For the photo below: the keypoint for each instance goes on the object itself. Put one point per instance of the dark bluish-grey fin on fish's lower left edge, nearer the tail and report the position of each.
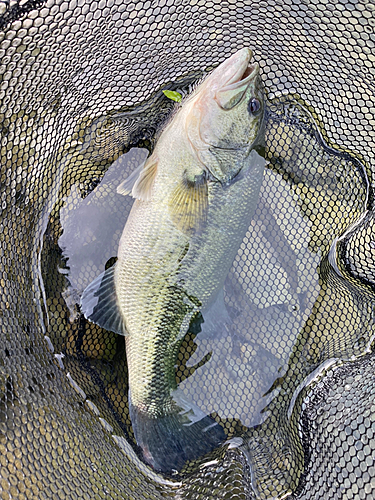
(99, 303)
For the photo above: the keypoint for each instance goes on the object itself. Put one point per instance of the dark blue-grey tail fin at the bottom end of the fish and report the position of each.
(168, 442)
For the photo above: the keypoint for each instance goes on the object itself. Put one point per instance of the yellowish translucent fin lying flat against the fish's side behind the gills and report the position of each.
(188, 204)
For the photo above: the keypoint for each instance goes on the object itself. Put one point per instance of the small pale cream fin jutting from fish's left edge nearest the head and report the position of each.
(140, 182)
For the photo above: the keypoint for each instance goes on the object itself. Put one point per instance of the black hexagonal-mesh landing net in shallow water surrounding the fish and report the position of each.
(80, 107)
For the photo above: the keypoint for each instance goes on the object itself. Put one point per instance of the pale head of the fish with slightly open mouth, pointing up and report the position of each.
(220, 126)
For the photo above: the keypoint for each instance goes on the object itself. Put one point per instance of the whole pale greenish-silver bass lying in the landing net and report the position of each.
(194, 200)
